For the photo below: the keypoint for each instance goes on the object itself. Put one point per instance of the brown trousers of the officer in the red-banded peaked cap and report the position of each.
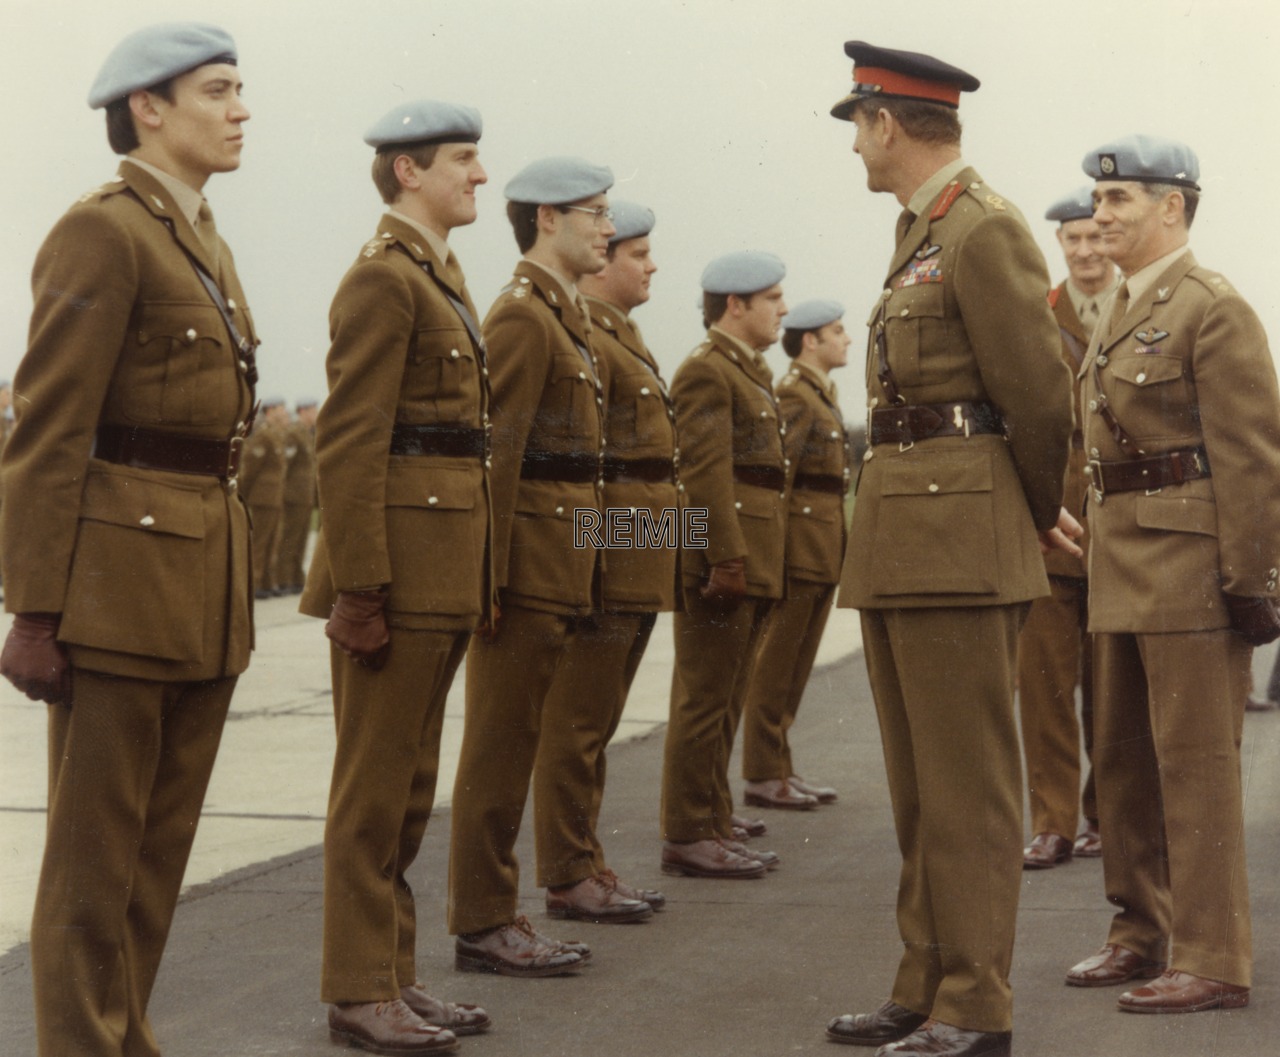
(944, 688)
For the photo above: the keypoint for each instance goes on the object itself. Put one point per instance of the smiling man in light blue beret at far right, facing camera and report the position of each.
(1183, 433)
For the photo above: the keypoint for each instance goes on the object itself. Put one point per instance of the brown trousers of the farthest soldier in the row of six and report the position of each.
(780, 674)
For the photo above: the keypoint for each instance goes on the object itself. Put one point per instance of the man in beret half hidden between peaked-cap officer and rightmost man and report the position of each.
(1055, 651)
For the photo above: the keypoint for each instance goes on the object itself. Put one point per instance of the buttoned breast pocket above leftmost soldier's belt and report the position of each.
(181, 370)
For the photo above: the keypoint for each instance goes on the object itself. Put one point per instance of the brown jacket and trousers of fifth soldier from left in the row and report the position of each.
(730, 428)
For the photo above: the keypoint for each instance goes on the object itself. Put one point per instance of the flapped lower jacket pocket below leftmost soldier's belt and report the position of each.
(138, 582)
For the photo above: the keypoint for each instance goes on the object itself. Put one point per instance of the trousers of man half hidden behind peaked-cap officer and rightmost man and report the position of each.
(1055, 653)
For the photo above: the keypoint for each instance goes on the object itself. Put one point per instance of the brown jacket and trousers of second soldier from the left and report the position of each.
(401, 359)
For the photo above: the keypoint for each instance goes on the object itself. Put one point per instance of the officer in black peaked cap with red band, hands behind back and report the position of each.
(971, 418)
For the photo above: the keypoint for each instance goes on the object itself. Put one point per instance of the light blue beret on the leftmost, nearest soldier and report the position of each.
(156, 54)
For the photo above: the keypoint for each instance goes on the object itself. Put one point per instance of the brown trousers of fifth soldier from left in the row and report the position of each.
(708, 689)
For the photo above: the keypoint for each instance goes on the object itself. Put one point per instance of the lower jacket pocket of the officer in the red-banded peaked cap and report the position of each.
(936, 527)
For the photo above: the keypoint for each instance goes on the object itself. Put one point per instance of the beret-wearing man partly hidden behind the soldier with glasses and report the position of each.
(586, 703)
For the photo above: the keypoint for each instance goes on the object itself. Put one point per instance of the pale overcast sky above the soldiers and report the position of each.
(712, 112)
